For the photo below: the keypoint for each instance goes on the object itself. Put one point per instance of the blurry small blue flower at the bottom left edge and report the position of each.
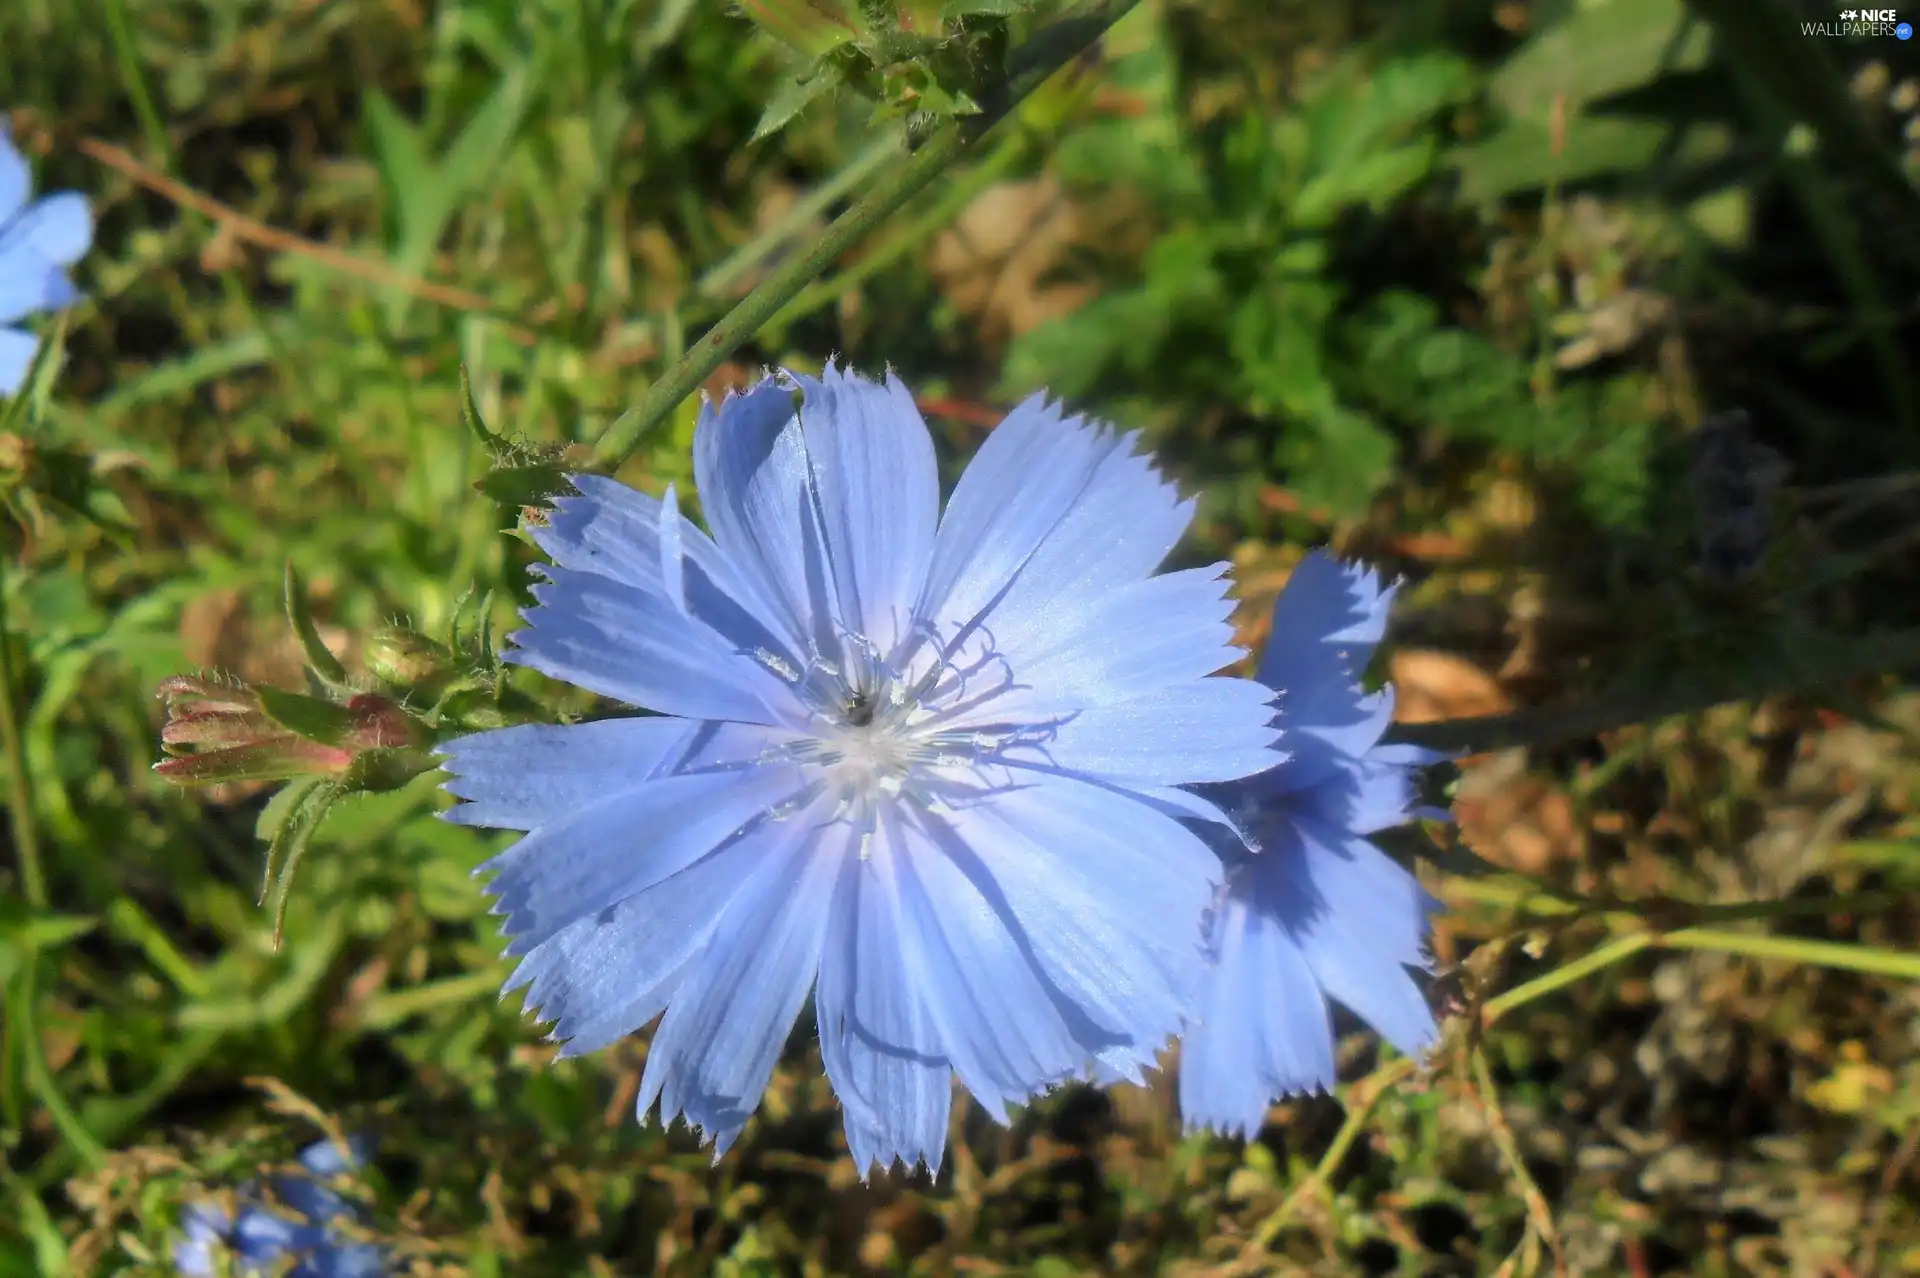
(300, 1227)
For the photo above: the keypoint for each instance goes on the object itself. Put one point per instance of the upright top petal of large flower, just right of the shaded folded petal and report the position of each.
(880, 498)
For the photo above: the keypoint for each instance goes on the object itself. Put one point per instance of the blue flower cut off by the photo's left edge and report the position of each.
(37, 243)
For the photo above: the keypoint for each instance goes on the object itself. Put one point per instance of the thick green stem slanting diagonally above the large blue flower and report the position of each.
(1032, 64)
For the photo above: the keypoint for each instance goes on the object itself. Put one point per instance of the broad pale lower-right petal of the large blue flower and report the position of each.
(1107, 899)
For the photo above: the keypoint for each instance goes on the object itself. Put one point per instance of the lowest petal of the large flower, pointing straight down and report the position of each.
(898, 1097)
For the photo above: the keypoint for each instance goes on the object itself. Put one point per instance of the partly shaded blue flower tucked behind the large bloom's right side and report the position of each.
(1314, 912)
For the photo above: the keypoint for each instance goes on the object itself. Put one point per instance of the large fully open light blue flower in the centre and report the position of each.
(921, 769)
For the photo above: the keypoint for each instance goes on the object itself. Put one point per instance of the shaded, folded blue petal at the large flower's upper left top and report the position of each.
(754, 475)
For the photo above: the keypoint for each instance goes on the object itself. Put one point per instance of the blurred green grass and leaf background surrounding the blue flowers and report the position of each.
(1447, 283)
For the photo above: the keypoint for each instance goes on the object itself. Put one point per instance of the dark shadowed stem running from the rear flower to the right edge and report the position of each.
(1708, 690)
